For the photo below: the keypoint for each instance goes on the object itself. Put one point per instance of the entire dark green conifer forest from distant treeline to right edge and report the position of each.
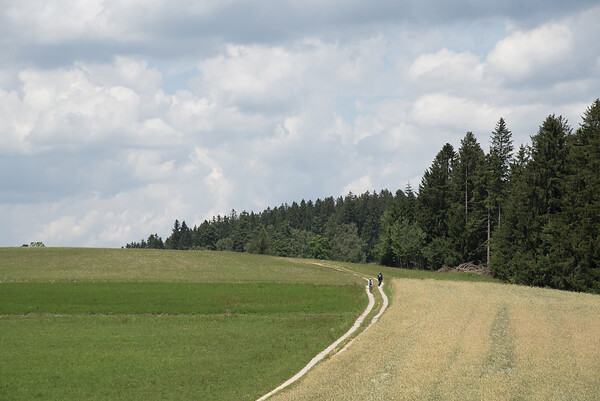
(531, 214)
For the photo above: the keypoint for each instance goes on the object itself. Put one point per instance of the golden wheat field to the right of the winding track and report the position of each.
(442, 340)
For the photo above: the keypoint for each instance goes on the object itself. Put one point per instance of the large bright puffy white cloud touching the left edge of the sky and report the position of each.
(89, 104)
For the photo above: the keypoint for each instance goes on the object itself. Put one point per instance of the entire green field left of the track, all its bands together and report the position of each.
(114, 324)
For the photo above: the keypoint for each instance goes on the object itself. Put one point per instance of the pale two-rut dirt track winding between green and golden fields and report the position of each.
(337, 342)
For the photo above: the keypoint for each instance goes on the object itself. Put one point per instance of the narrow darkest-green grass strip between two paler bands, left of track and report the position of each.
(20, 298)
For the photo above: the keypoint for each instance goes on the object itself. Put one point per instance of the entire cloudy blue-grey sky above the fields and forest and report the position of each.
(119, 116)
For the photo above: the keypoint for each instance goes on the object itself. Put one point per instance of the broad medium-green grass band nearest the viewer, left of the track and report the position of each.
(168, 357)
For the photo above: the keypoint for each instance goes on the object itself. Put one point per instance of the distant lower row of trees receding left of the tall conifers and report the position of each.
(346, 228)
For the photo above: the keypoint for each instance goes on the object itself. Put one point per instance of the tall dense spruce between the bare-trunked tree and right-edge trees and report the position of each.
(522, 247)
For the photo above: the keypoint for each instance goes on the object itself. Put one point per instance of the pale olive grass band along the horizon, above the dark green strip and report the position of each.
(93, 264)
